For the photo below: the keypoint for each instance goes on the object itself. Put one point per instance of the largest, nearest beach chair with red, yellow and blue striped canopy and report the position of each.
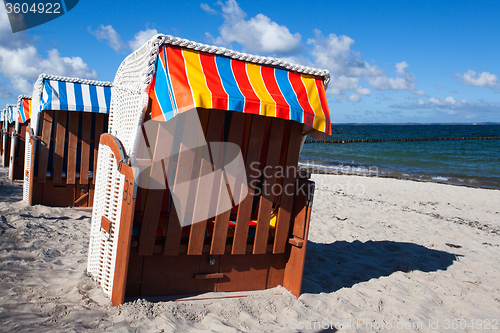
(178, 210)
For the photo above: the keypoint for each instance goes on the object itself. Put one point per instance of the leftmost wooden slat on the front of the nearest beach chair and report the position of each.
(154, 197)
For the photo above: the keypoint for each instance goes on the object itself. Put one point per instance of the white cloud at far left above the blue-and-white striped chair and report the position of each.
(21, 62)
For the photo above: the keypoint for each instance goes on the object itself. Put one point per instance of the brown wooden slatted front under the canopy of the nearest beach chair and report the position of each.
(270, 149)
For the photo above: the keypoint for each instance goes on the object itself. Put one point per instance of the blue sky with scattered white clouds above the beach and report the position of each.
(390, 61)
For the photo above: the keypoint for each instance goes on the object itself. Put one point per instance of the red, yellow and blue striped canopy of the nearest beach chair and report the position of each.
(185, 79)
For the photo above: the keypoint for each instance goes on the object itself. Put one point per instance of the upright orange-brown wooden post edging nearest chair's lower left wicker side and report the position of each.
(124, 236)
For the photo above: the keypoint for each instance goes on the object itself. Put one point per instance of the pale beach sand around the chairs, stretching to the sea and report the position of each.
(383, 255)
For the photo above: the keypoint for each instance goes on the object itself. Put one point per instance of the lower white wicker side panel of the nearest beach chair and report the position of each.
(107, 202)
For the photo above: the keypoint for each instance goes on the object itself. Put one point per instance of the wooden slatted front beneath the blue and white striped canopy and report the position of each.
(67, 146)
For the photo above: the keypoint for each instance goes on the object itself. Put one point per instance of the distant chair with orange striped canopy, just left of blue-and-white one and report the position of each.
(18, 142)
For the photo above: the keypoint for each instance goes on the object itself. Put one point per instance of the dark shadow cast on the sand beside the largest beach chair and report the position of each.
(330, 267)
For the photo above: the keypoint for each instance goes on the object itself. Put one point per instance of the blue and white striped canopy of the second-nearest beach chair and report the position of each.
(73, 96)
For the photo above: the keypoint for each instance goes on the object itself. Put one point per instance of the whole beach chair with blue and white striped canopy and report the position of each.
(67, 117)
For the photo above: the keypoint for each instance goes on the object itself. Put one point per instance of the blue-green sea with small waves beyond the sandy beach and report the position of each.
(473, 163)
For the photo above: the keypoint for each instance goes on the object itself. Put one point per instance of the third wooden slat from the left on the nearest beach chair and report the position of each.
(197, 232)
